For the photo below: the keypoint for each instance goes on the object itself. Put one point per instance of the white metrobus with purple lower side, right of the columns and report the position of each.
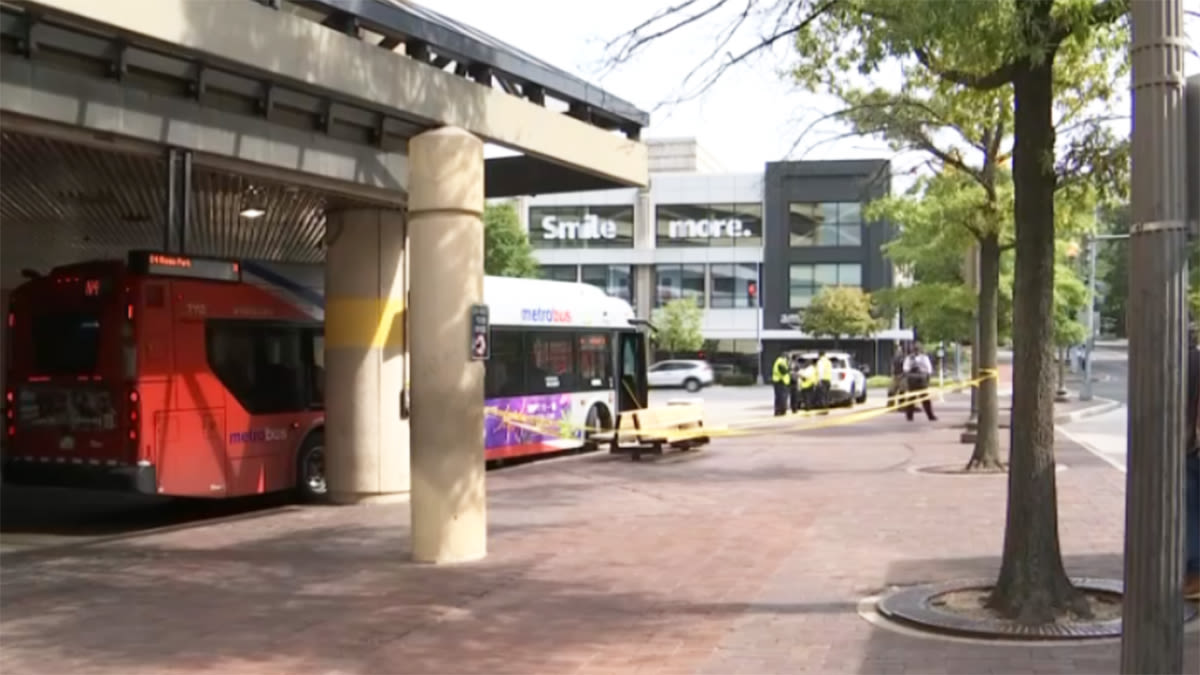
(566, 357)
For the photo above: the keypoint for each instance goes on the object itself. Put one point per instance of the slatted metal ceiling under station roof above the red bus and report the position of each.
(63, 202)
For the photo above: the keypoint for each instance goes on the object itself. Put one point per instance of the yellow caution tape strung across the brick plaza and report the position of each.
(794, 422)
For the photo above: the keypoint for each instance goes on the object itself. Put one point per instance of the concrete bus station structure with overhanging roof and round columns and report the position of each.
(326, 133)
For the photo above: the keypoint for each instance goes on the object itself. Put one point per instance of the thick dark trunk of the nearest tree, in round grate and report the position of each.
(1034, 587)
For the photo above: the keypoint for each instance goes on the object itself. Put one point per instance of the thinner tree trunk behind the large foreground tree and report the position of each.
(986, 456)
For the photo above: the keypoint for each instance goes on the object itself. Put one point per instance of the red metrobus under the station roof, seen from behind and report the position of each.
(165, 375)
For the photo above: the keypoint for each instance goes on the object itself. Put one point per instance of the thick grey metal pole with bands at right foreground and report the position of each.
(1153, 610)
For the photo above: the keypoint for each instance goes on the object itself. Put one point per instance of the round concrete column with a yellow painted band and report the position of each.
(367, 441)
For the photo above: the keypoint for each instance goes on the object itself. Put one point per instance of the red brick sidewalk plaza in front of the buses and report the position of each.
(748, 557)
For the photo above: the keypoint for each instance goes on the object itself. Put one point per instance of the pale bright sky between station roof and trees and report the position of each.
(752, 116)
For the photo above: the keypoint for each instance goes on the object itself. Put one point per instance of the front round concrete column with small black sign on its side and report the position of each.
(447, 253)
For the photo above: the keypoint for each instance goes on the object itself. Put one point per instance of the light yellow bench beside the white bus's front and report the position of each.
(651, 429)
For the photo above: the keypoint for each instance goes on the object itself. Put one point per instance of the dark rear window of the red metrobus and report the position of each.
(65, 343)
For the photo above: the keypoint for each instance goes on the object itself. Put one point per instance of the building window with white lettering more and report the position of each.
(709, 225)
